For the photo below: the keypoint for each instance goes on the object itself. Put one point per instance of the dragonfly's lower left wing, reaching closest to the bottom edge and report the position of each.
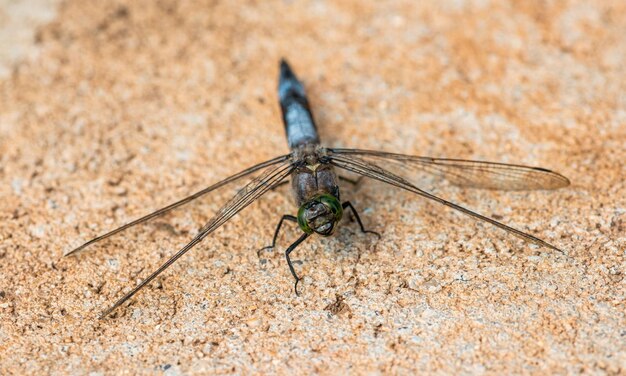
(247, 195)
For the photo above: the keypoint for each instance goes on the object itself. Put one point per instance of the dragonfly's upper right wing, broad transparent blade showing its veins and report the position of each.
(464, 173)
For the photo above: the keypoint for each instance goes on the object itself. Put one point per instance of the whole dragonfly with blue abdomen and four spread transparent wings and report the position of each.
(312, 168)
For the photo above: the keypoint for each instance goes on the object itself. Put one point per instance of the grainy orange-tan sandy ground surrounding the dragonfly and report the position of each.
(117, 108)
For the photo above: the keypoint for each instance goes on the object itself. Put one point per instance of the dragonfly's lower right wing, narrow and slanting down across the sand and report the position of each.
(365, 168)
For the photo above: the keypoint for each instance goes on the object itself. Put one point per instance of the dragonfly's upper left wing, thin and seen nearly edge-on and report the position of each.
(182, 202)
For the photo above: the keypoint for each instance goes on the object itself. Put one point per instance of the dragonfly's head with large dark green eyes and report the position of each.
(320, 214)
